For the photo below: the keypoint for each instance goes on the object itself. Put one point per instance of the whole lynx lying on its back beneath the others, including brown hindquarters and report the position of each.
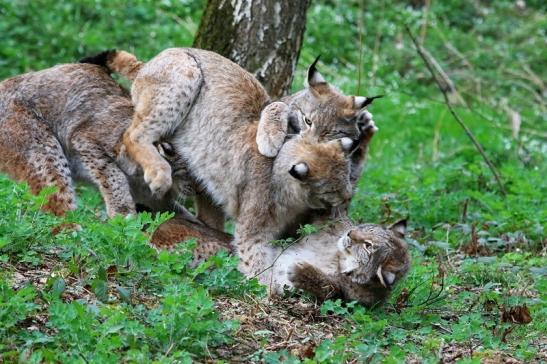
(323, 263)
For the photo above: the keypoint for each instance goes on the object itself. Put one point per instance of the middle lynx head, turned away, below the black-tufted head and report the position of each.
(319, 172)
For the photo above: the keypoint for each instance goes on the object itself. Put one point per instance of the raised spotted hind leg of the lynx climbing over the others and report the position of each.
(163, 93)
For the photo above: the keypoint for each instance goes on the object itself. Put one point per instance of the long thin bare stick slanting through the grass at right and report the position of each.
(468, 132)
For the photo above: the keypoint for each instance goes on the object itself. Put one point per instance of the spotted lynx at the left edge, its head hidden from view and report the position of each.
(66, 123)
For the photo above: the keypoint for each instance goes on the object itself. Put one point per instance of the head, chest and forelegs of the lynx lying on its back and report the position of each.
(370, 257)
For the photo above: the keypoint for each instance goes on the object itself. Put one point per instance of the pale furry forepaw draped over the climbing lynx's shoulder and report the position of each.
(272, 128)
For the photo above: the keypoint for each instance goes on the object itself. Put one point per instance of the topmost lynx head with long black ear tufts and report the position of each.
(333, 114)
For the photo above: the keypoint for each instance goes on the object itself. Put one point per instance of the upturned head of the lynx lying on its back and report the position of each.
(374, 257)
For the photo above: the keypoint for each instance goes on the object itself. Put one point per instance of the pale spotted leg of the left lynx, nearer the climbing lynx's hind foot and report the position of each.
(106, 175)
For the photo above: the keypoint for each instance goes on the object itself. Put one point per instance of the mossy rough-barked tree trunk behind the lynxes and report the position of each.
(262, 36)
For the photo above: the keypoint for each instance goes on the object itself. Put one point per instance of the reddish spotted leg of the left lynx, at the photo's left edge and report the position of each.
(29, 152)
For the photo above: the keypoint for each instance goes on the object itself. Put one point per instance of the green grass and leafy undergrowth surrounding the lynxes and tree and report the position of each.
(103, 295)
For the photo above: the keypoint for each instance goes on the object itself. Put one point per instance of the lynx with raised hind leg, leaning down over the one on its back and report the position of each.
(210, 107)
